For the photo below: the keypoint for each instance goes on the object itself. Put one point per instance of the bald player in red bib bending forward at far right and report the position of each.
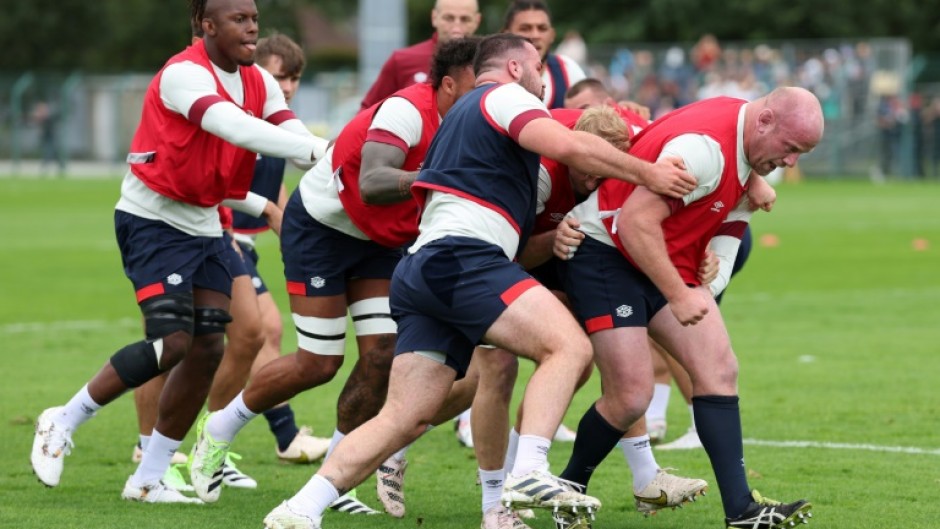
(649, 248)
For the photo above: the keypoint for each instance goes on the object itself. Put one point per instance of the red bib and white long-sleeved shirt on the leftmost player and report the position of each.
(195, 146)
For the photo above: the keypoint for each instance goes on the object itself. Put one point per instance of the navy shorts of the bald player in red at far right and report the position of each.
(607, 291)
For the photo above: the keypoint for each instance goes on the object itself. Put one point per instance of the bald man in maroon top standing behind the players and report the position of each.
(451, 19)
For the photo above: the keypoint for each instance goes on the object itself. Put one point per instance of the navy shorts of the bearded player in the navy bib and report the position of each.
(448, 294)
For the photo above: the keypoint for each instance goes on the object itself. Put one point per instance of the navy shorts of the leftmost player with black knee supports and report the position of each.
(160, 259)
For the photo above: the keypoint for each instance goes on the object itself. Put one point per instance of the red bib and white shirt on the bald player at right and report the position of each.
(708, 136)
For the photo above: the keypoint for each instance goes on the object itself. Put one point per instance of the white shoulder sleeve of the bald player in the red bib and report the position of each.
(703, 160)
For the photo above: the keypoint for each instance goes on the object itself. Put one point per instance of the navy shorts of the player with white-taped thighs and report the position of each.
(319, 261)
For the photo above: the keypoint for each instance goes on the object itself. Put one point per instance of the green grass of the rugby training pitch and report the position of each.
(836, 331)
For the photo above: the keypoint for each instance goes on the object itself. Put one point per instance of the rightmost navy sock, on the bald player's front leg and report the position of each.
(718, 421)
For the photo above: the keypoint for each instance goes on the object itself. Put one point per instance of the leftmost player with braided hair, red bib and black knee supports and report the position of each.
(205, 115)
